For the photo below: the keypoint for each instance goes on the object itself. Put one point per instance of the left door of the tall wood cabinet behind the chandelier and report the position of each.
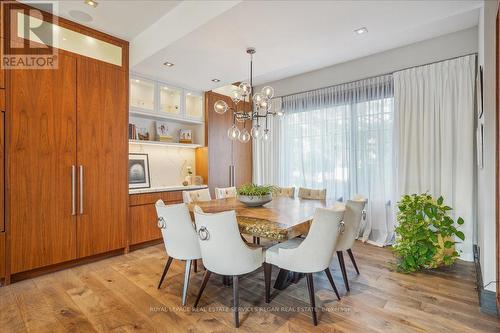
(219, 145)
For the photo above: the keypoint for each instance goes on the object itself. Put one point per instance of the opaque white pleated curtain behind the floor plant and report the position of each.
(434, 136)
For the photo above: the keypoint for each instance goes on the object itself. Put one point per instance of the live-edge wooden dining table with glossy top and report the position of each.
(279, 220)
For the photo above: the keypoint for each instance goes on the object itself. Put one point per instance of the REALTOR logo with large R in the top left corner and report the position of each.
(29, 35)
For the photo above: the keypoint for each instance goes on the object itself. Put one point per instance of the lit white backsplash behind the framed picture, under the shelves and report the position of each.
(167, 165)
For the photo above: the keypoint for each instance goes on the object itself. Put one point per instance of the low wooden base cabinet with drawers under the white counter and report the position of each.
(142, 215)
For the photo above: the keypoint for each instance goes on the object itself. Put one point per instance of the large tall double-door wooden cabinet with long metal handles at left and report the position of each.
(68, 155)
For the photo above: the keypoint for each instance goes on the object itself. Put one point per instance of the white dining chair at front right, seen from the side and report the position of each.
(307, 255)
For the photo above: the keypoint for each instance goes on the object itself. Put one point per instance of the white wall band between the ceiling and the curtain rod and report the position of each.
(436, 49)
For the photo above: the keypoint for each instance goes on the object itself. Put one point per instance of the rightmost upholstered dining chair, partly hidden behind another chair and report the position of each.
(349, 232)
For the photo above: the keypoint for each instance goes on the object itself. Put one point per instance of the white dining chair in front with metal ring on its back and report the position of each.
(223, 251)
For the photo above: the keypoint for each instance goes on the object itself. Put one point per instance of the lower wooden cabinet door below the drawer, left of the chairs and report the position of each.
(143, 224)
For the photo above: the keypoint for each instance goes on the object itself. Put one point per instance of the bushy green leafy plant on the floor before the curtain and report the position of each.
(425, 233)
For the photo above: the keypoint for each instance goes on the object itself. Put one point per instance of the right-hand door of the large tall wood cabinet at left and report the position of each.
(102, 153)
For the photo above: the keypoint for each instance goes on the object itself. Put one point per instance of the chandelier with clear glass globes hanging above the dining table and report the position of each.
(261, 108)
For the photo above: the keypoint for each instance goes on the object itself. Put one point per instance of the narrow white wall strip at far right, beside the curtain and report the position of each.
(486, 176)
